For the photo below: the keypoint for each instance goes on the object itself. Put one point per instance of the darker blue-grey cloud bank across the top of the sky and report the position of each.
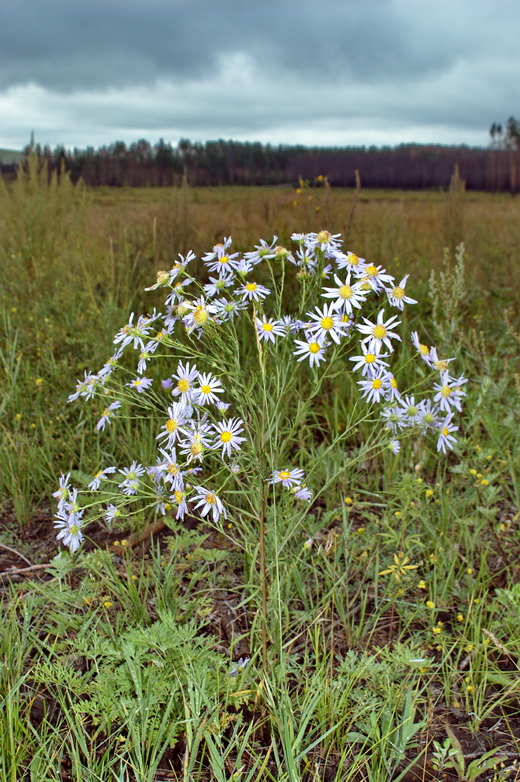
(67, 45)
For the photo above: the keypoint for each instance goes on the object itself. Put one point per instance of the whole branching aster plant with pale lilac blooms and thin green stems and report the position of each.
(226, 373)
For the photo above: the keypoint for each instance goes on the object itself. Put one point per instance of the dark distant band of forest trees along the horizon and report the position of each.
(215, 163)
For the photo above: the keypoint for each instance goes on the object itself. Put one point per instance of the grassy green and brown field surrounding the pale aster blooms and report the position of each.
(367, 634)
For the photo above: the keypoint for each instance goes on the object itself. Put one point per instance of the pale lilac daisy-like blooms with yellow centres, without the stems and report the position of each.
(344, 301)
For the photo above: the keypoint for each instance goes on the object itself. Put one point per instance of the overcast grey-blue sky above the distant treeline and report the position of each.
(329, 72)
